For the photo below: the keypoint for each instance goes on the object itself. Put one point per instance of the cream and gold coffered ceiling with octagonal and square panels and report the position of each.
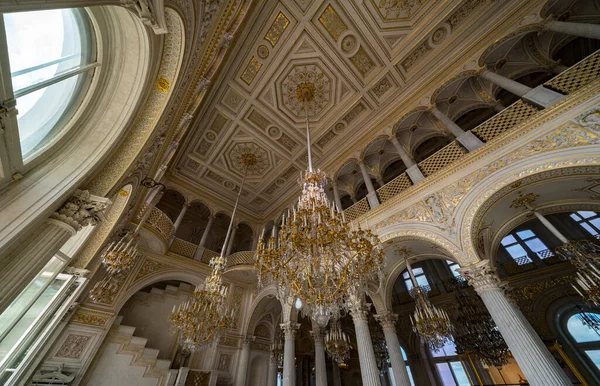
(365, 62)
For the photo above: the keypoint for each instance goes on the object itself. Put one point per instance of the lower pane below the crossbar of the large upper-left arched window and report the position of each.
(40, 111)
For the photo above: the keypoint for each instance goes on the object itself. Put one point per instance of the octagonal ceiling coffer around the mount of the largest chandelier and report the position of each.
(302, 74)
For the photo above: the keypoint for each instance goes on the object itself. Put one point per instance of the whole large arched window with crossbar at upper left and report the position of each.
(50, 55)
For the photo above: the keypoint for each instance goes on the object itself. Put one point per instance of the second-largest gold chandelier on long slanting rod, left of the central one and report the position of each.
(206, 315)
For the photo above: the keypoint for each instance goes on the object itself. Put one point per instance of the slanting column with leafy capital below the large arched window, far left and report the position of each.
(24, 263)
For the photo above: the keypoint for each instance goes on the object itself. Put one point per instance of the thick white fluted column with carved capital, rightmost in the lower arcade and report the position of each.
(538, 365)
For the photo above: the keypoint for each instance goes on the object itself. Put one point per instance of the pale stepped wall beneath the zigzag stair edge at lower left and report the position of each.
(113, 369)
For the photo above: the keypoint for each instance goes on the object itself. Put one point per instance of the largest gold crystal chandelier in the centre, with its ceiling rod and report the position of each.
(317, 258)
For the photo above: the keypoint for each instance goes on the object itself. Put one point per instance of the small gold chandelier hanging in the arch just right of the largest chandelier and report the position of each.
(432, 324)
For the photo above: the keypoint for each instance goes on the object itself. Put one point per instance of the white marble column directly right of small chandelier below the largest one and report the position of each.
(366, 354)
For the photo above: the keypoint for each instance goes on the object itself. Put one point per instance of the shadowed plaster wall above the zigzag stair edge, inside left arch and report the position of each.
(149, 314)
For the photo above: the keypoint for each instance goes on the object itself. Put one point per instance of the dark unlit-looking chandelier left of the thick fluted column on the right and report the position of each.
(475, 332)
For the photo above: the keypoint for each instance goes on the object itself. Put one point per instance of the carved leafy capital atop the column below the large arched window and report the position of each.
(82, 209)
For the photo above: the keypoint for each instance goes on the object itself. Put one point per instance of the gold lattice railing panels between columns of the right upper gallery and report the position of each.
(569, 81)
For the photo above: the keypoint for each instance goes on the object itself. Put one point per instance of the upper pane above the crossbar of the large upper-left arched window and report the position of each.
(42, 44)
